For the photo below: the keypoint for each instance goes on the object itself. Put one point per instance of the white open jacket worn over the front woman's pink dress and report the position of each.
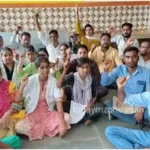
(32, 92)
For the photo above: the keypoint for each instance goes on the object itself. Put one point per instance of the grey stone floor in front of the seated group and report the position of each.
(80, 136)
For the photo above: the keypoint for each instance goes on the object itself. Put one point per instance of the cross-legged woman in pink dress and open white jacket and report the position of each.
(42, 94)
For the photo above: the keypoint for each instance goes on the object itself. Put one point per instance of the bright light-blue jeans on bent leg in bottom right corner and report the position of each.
(124, 138)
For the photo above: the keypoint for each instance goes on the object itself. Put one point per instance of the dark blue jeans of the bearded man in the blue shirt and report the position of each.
(129, 118)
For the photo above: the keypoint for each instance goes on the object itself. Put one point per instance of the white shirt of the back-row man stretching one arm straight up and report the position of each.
(53, 52)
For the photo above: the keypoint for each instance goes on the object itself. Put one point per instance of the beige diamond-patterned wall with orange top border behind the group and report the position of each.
(100, 15)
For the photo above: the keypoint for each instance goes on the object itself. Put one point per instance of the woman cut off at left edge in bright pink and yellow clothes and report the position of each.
(10, 112)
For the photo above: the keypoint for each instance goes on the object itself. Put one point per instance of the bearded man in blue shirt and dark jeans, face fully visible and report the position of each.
(137, 83)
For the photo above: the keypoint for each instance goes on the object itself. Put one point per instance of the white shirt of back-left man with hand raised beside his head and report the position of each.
(20, 49)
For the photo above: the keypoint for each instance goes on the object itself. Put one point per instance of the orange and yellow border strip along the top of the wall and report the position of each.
(70, 4)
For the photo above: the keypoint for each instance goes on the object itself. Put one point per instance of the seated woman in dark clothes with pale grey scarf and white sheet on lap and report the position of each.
(83, 92)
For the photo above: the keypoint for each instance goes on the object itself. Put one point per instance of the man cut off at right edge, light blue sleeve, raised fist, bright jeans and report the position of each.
(124, 138)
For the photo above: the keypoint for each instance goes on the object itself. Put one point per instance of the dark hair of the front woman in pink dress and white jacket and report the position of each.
(40, 59)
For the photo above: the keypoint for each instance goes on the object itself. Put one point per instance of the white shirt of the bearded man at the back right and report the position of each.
(119, 40)
